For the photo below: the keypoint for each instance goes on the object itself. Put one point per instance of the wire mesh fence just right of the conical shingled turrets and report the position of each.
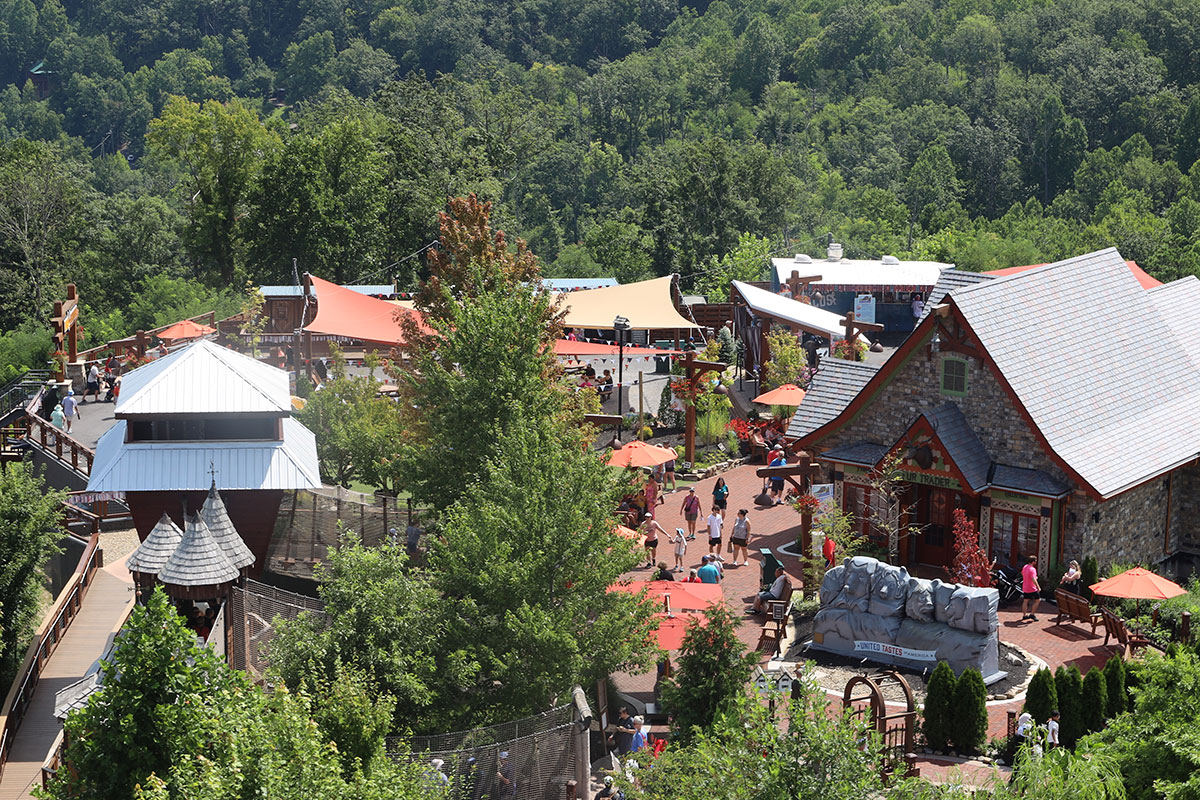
(250, 617)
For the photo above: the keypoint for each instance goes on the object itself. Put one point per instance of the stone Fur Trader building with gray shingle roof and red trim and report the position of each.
(1059, 407)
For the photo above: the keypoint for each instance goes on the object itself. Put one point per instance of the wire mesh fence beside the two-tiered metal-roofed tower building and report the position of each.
(311, 521)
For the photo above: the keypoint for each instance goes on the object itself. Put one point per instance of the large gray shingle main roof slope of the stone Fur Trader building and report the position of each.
(1097, 366)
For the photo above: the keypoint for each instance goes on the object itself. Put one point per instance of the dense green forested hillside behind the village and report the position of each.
(161, 153)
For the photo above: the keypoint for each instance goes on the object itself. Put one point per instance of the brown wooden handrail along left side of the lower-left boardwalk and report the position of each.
(55, 625)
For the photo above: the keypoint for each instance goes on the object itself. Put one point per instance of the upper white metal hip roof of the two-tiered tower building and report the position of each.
(205, 378)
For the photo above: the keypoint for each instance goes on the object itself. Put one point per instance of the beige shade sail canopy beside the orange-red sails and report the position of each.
(647, 305)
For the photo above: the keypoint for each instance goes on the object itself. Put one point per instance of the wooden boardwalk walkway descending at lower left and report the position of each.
(86, 641)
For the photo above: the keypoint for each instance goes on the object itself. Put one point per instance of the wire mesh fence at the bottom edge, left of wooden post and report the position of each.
(531, 759)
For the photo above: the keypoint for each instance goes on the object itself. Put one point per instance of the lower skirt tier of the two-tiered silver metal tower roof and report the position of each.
(184, 466)
